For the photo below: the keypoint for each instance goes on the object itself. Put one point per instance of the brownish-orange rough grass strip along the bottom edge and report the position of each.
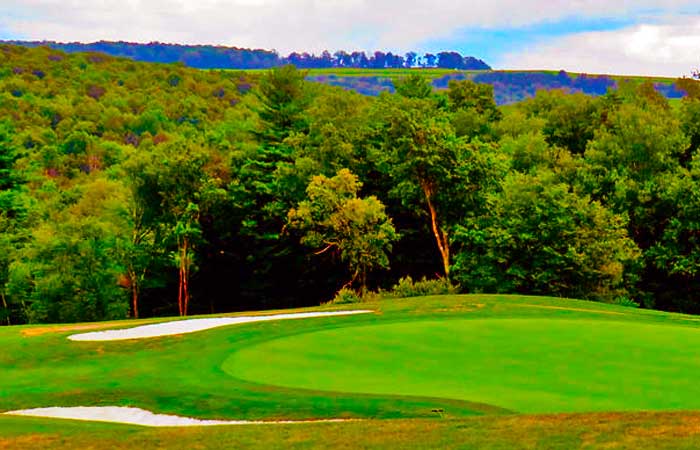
(578, 431)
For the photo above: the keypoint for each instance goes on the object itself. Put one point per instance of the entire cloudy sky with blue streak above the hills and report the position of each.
(641, 37)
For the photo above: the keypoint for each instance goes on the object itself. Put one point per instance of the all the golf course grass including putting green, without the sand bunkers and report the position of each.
(422, 370)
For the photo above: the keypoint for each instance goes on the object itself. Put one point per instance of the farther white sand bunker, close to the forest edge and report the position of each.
(193, 325)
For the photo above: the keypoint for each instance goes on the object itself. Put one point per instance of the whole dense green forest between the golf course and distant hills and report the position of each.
(129, 189)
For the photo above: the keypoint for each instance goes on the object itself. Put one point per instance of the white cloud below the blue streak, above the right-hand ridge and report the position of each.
(667, 49)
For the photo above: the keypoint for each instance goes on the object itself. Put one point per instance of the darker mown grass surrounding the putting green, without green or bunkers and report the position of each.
(183, 375)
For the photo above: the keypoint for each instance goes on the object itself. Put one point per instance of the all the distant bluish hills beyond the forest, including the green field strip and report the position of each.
(368, 74)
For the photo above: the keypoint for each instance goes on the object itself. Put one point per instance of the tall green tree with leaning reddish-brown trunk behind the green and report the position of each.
(434, 172)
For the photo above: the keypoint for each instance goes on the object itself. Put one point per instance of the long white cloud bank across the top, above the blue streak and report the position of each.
(289, 25)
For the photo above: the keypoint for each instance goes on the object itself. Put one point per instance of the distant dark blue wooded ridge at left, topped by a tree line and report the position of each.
(221, 57)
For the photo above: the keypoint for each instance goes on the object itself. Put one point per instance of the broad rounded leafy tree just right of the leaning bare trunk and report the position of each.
(539, 237)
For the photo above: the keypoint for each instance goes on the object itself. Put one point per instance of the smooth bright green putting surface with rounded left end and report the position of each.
(526, 365)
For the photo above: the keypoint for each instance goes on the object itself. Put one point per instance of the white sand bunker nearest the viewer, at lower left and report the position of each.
(138, 416)
